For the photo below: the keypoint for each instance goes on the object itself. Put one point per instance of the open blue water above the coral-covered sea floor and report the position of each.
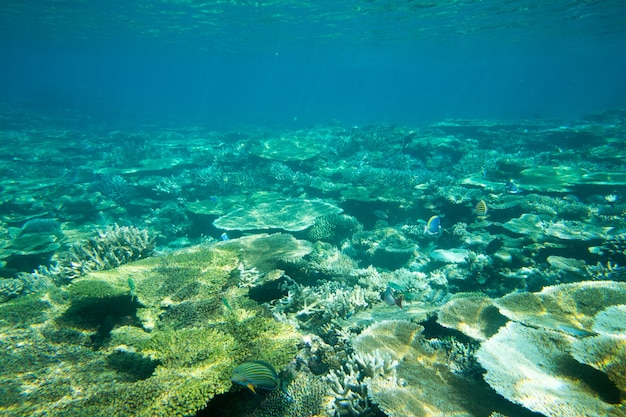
(294, 63)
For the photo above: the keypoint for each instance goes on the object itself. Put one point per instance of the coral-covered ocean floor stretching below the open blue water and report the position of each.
(466, 267)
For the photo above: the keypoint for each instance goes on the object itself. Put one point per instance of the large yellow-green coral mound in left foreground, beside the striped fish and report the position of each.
(104, 350)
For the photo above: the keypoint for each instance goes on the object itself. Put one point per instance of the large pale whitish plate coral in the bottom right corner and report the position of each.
(530, 367)
